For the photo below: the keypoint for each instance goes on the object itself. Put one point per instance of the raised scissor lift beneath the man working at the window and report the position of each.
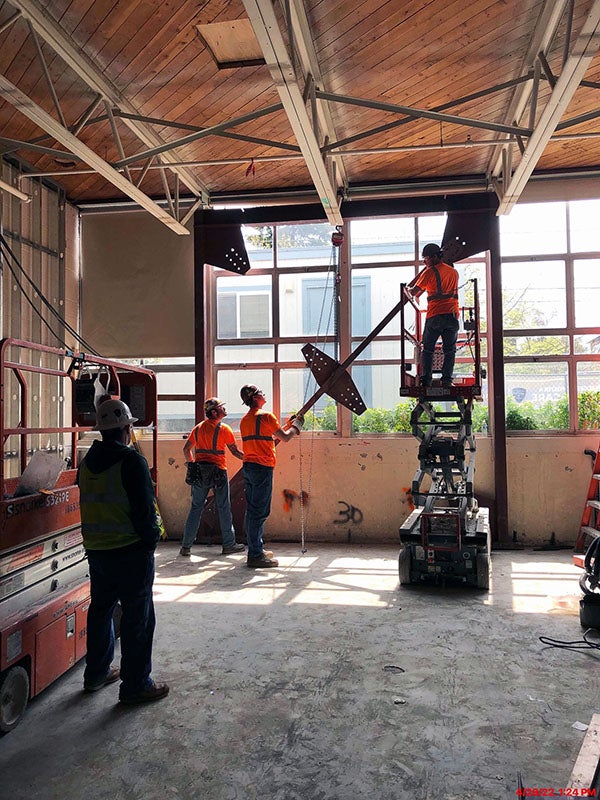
(447, 535)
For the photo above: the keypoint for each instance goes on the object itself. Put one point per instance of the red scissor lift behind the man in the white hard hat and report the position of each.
(44, 585)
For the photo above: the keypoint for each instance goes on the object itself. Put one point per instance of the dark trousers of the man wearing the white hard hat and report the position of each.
(126, 575)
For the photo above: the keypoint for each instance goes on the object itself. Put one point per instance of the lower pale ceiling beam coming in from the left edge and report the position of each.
(26, 106)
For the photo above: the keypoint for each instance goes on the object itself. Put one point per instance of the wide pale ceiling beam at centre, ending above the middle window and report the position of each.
(279, 62)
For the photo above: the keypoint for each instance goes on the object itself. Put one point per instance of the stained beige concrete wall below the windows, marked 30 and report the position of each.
(357, 487)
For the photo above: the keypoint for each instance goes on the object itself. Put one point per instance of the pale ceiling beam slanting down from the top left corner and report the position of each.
(84, 67)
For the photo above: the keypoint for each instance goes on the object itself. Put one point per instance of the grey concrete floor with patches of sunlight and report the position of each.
(324, 680)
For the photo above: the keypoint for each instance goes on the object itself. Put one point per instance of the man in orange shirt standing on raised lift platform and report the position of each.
(440, 281)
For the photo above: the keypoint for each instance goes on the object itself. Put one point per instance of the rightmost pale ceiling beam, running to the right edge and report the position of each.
(583, 51)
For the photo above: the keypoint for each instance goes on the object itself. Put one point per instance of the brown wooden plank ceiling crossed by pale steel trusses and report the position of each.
(351, 64)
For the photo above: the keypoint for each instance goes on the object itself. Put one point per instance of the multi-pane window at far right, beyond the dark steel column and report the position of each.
(551, 290)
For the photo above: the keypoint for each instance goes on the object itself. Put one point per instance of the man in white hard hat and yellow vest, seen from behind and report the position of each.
(120, 528)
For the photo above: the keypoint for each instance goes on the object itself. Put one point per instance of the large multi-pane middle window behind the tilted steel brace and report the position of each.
(296, 262)
